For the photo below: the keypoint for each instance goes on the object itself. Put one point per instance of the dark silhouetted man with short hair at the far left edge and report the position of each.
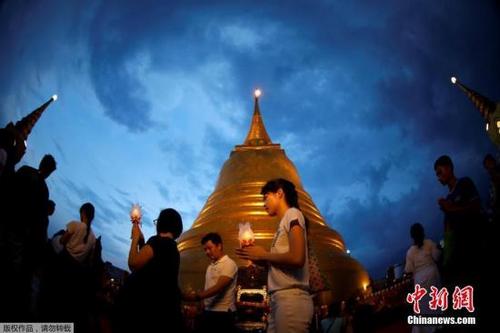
(25, 236)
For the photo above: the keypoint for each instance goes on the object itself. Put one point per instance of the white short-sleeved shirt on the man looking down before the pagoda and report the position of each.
(226, 299)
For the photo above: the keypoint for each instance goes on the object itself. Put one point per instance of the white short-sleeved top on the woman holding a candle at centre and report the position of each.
(284, 278)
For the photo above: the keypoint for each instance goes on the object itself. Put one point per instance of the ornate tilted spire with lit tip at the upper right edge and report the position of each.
(490, 111)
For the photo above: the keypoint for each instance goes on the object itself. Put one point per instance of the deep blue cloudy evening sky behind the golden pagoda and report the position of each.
(153, 96)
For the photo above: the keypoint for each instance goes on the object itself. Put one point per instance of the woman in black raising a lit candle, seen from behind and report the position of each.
(150, 300)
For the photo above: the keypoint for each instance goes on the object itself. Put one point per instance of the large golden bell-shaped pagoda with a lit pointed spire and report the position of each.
(237, 199)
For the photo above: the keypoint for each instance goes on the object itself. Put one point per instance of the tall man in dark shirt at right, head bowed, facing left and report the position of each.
(462, 224)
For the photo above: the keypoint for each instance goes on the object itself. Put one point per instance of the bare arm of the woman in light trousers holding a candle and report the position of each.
(294, 258)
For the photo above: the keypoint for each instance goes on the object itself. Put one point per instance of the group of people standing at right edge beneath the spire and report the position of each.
(462, 259)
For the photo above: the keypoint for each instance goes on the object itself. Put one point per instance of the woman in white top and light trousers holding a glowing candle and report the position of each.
(288, 275)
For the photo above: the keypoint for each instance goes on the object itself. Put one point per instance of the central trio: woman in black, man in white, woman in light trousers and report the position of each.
(151, 299)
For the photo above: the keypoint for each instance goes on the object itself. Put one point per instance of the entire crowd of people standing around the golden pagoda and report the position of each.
(57, 279)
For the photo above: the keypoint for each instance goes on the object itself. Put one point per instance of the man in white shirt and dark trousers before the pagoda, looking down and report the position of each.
(220, 284)
